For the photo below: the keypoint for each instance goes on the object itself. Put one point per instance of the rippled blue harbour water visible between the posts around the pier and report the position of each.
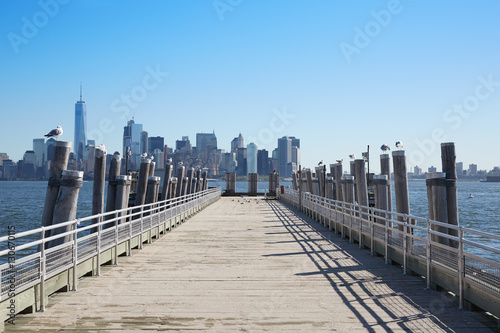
(21, 203)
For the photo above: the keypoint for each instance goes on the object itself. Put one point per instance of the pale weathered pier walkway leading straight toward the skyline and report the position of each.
(251, 266)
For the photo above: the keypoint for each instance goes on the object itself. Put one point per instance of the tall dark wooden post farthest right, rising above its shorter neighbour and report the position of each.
(448, 159)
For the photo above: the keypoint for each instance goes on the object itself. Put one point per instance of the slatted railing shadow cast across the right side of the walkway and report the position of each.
(384, 298)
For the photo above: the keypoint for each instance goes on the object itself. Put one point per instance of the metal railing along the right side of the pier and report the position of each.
(471, 259)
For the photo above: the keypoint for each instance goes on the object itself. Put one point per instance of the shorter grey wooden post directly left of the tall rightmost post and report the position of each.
(437, 193)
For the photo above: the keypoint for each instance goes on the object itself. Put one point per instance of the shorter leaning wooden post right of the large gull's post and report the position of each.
(66, 204)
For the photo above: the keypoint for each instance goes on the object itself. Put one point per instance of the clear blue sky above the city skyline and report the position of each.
(339, 75)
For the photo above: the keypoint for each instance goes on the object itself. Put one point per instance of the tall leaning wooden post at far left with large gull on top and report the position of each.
(59, 164)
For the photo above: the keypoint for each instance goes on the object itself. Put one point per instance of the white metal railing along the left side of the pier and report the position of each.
(90, 237)
